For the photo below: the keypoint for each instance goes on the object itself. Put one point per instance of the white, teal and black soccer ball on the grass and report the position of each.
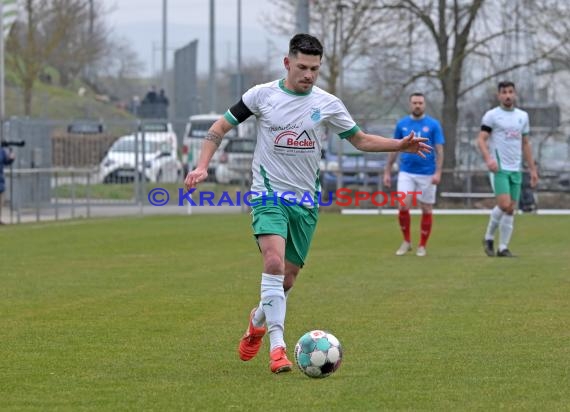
(318, 354)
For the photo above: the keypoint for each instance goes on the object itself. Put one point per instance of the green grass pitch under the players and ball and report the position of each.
(146, 313)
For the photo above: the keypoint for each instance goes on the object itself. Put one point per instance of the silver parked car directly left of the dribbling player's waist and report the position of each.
(235, 161)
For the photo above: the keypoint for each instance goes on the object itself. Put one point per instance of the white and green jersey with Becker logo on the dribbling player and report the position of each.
(291, 127)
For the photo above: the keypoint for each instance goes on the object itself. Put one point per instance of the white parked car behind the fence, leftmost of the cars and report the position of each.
(125, 159)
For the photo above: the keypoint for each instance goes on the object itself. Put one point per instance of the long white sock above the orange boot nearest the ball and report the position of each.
(273, 304)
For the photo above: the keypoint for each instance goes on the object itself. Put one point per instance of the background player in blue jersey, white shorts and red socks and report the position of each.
(417, 174)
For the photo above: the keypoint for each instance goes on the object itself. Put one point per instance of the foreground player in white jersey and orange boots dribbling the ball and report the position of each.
(292, 114)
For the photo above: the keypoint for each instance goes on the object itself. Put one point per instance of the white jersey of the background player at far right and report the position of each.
(507, 128)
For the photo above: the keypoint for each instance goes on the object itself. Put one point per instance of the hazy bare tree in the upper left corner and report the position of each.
(71, 37)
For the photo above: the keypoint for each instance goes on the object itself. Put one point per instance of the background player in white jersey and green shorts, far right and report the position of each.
(504, 141)
